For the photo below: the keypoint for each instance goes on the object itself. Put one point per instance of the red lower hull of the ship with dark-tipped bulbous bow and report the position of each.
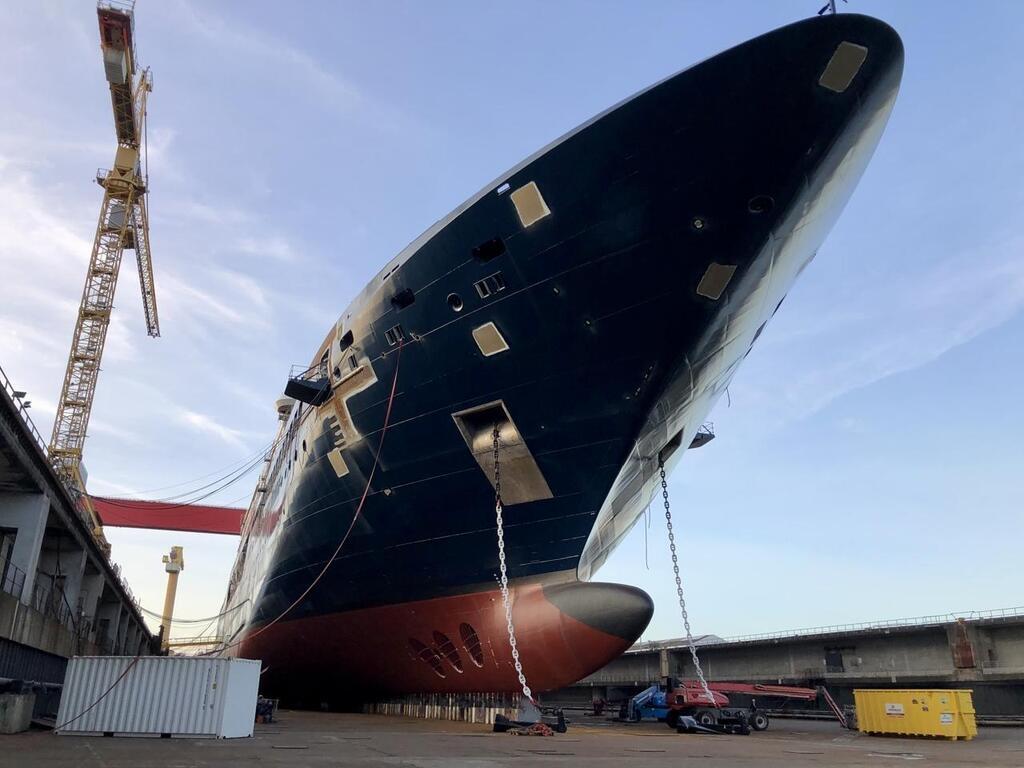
(457, 644)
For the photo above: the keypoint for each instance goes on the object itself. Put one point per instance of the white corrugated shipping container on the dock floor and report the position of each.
(177, 696)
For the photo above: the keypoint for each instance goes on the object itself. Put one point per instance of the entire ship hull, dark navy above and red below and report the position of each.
(627, 270)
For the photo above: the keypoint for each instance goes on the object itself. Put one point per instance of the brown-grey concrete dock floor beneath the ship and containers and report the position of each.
(305, 739)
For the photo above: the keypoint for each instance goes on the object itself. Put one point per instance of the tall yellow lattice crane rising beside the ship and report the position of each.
(123, 225)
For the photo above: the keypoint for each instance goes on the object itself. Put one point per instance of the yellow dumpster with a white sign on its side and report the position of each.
(949, 714)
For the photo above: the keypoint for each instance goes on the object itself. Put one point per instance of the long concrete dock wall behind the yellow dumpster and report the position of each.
(984, 652)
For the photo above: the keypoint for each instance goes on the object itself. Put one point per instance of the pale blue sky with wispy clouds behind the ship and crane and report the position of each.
(870, 464)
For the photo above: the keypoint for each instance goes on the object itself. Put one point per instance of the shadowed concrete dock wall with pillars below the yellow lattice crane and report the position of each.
(60, 594)
